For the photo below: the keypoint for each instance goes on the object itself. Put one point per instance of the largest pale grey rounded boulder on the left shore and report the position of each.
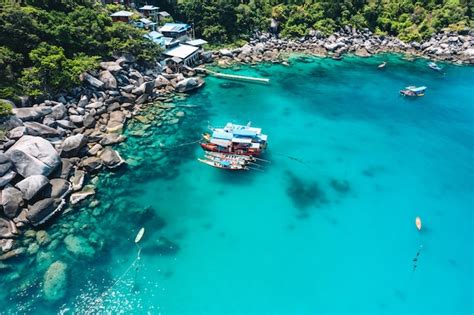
(33, 156)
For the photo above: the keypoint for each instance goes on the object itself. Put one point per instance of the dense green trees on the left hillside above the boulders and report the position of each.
(46, 44)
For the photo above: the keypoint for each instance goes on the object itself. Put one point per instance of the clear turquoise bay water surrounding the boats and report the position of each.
(286, 240)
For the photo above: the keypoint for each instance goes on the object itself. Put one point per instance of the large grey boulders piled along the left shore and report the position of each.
(49, 148)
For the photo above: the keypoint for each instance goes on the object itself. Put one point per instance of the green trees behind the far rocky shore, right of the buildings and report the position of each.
(224, 20)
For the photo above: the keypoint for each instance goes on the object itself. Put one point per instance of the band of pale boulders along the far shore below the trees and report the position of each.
(446, 46)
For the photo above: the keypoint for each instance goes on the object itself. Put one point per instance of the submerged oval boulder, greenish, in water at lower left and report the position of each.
(55, 281)
